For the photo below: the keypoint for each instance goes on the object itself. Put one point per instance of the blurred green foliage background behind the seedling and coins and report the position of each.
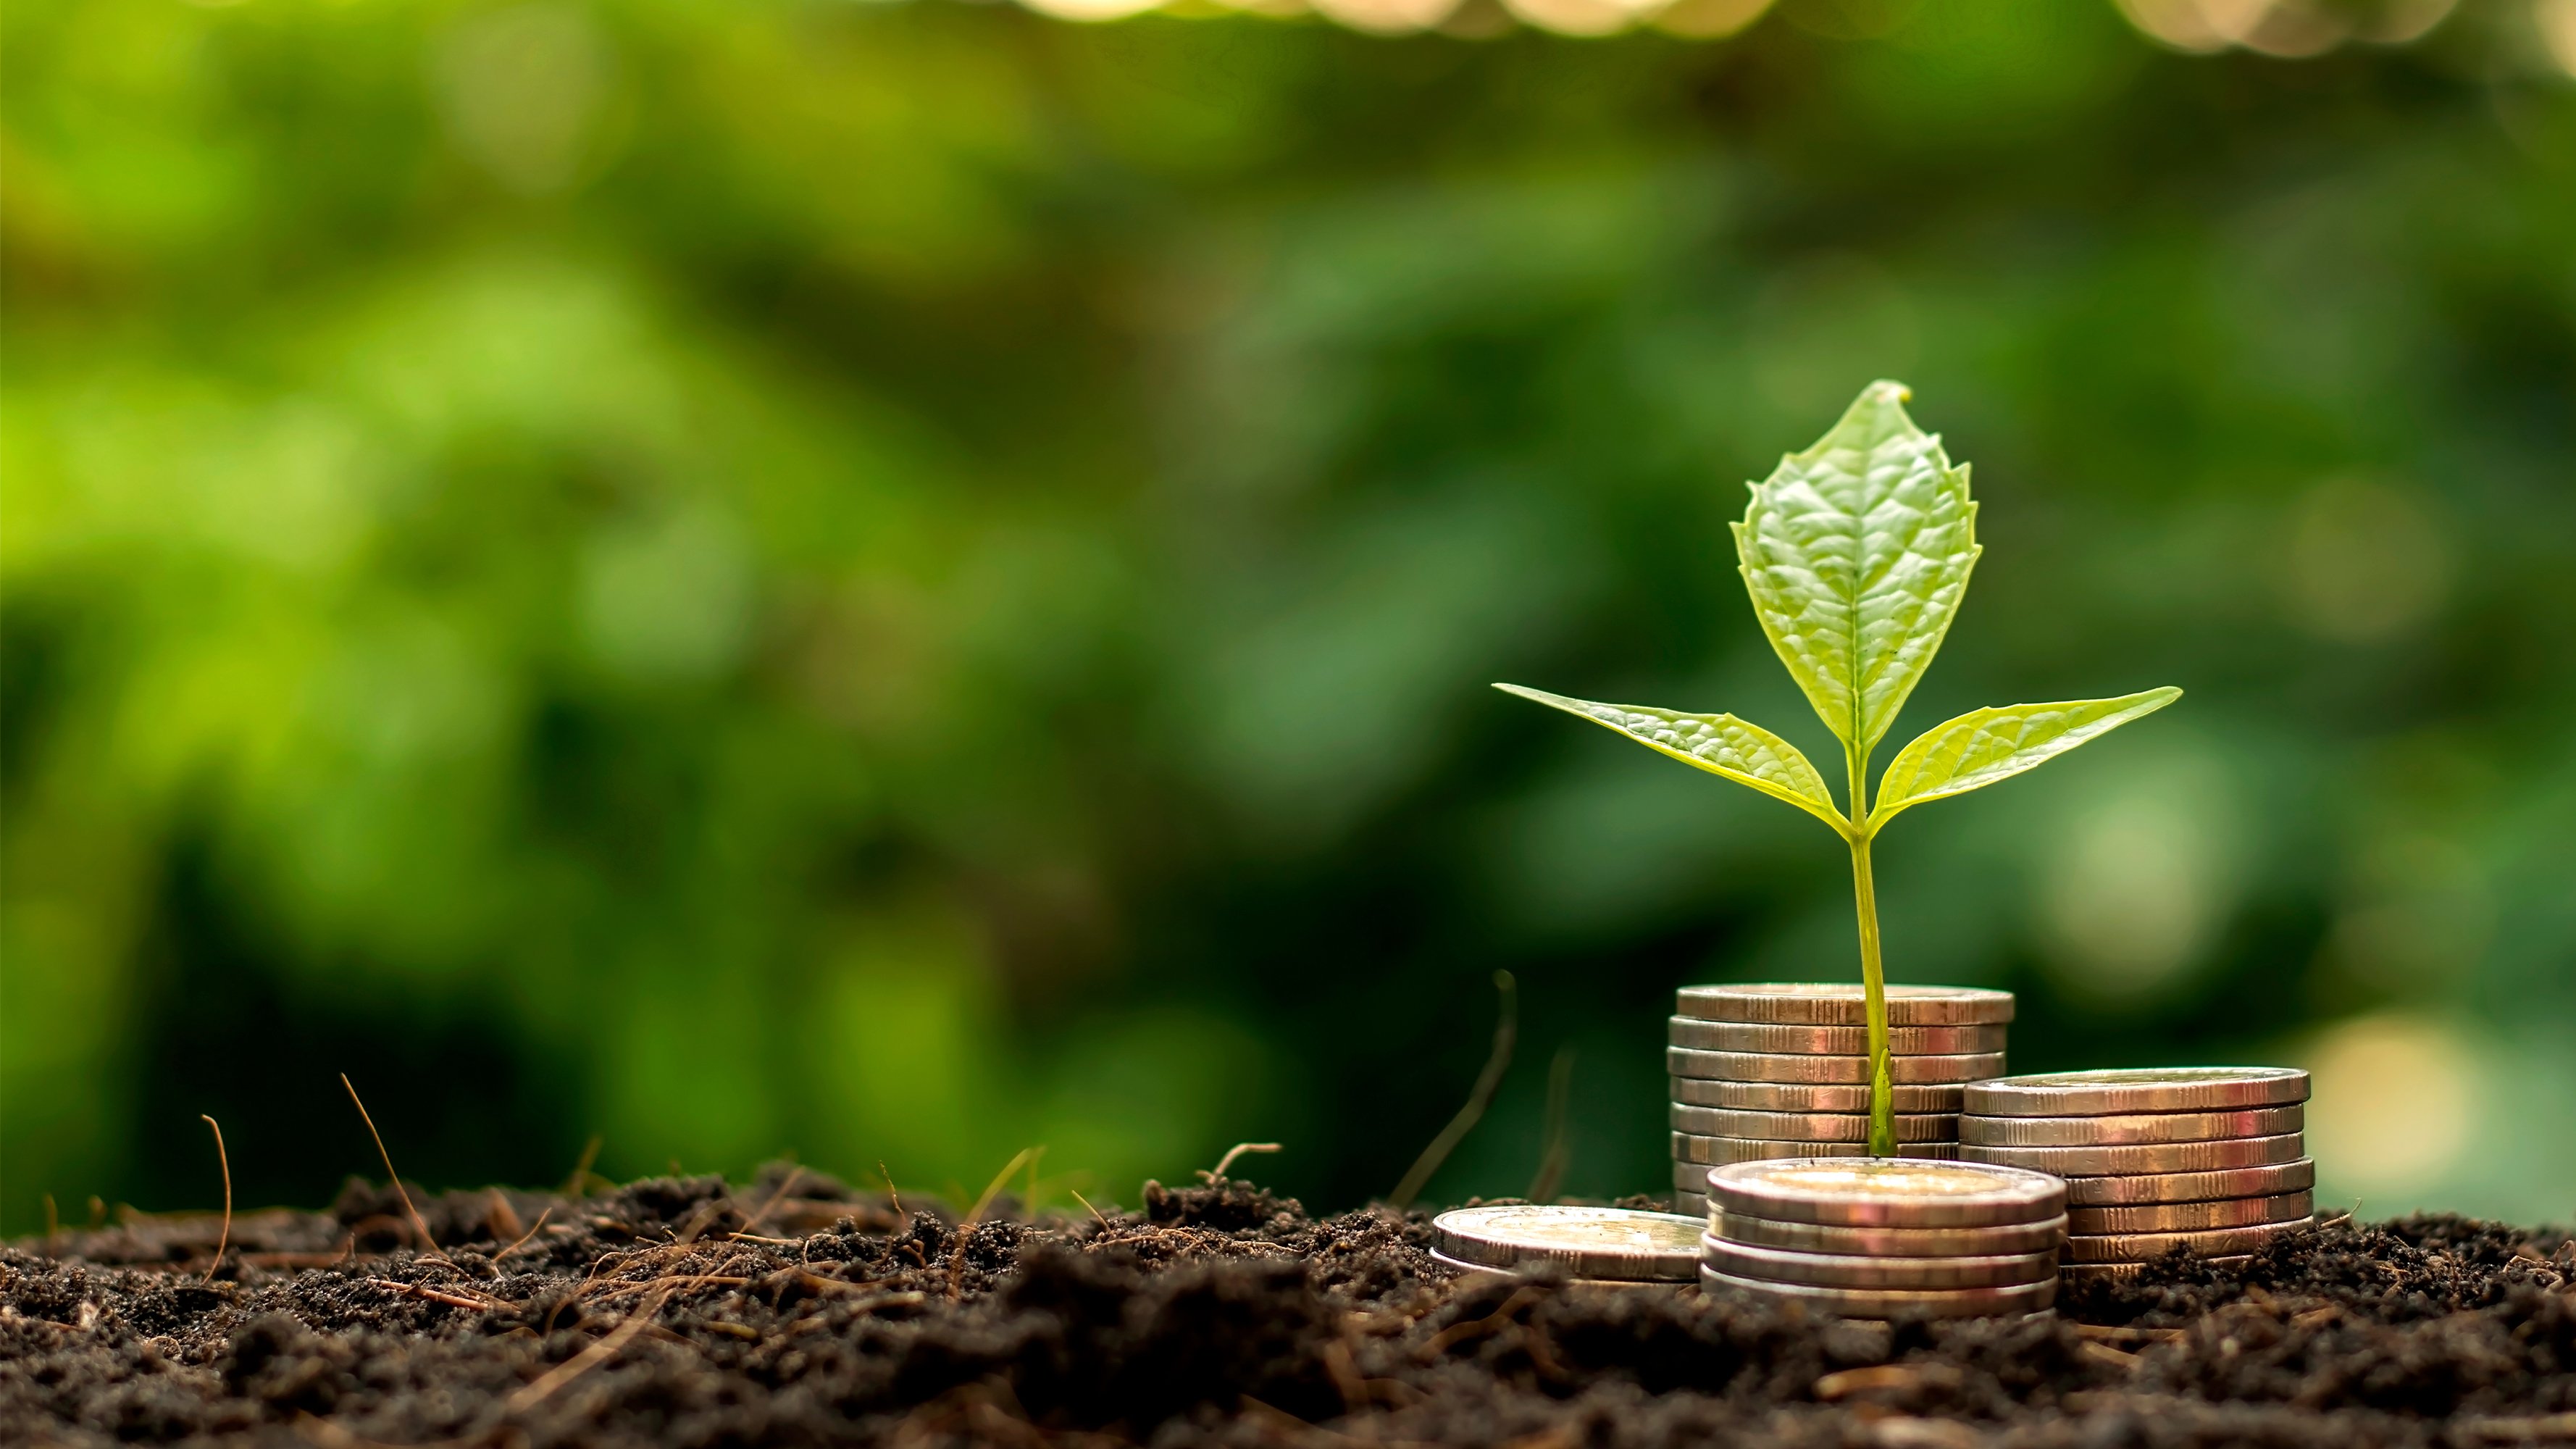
(913, 581)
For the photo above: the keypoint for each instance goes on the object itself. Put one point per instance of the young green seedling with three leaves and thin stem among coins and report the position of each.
(1859, 556)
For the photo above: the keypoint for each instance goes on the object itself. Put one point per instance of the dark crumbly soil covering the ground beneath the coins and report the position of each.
(692, 1314)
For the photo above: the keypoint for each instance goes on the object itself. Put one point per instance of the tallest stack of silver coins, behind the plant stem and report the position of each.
(1784, 1071)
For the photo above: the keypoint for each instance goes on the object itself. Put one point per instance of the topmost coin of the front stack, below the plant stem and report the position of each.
(1887, 1192)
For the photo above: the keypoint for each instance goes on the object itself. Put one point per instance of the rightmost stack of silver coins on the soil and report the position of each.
(2201, 1159)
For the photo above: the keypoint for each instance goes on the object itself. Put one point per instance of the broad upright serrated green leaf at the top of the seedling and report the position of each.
(1859, 553)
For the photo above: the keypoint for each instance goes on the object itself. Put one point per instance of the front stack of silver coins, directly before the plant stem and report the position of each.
(1887, 1236)
